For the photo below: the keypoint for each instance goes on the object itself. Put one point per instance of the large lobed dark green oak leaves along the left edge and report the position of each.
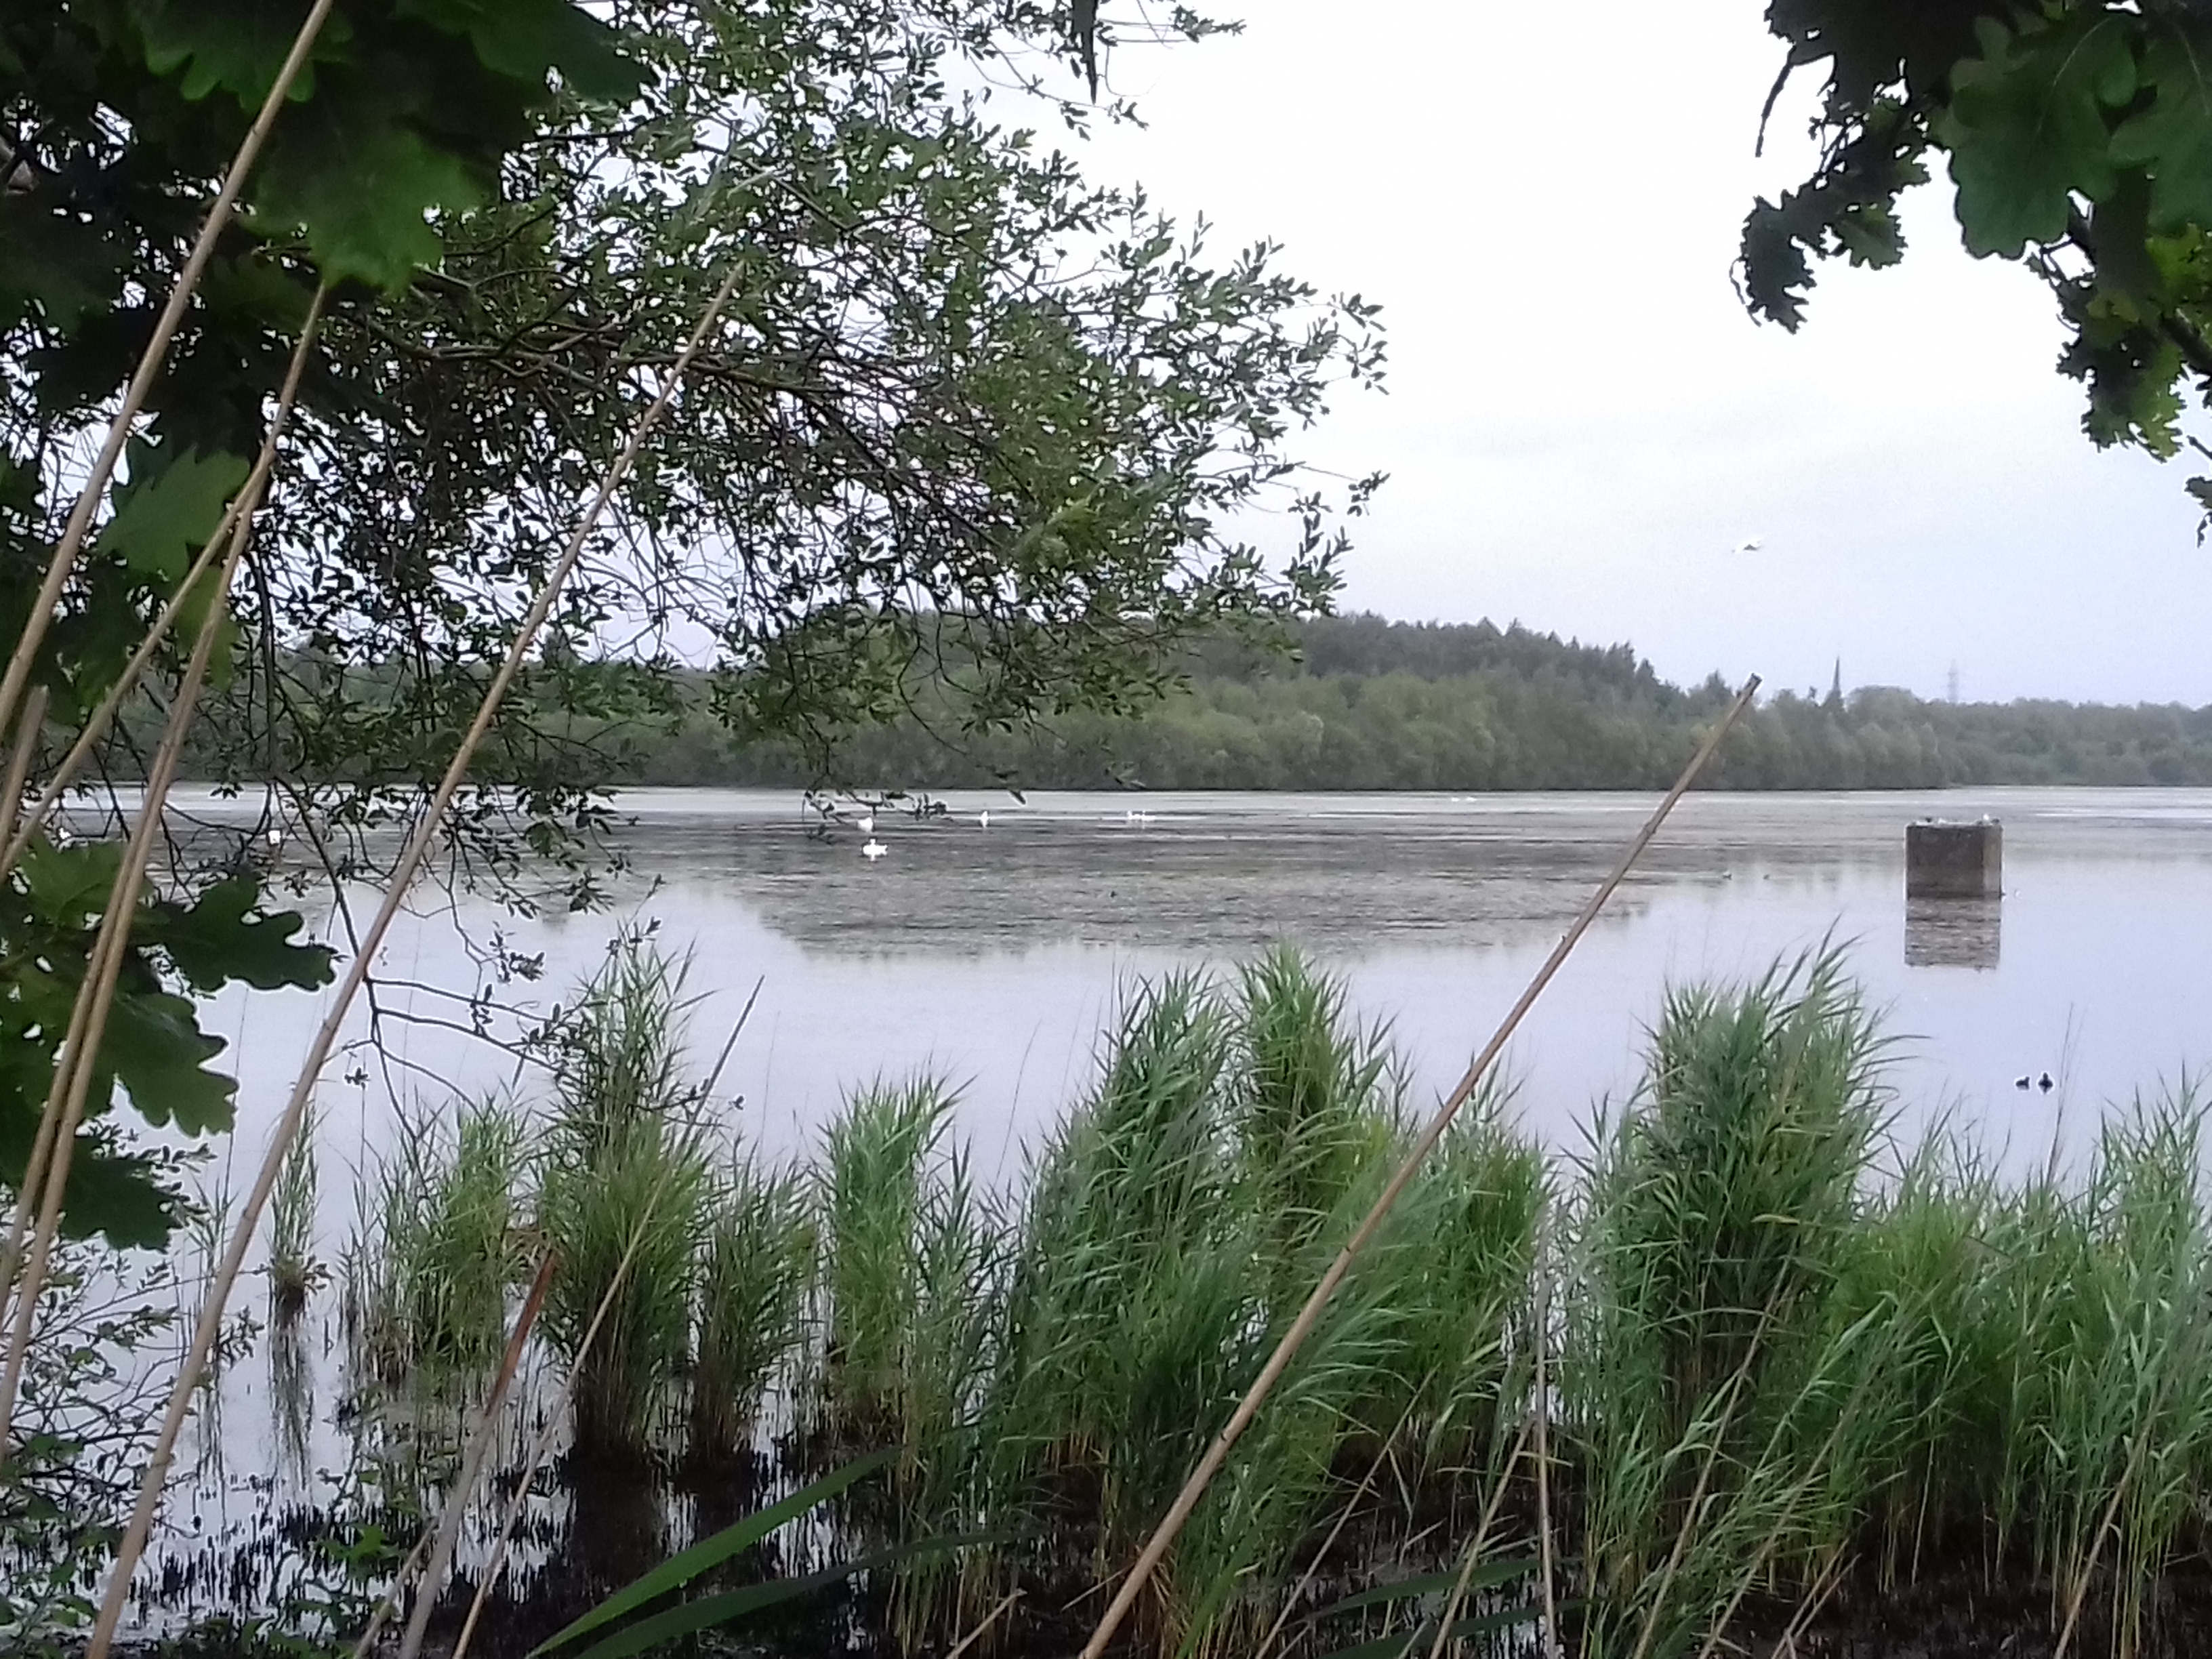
(118, 118)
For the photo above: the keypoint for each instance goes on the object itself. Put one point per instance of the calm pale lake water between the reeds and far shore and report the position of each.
(997, 954)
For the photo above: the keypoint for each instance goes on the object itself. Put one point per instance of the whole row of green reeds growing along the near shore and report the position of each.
(1791, 1370)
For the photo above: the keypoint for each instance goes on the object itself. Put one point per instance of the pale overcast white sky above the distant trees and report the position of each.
(1583, 424)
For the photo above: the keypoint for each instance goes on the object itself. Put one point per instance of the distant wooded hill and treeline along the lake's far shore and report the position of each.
(1373, 705)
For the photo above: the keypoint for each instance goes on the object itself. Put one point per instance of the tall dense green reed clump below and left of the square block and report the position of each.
(1720, 1218)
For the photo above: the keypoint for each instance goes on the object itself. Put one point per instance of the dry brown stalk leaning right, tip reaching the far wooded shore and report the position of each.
(1317, 1302)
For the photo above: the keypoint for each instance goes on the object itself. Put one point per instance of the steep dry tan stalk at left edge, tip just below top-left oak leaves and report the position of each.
(48, 1171)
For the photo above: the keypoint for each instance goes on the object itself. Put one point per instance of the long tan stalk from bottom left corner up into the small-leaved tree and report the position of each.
(326, 1036)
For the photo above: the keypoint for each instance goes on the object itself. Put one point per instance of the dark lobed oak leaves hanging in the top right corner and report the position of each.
(2078, 136)
